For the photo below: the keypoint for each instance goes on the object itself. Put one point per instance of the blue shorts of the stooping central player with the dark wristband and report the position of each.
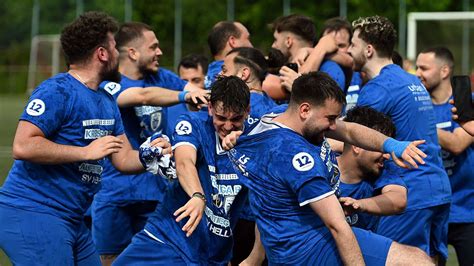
(145, 250)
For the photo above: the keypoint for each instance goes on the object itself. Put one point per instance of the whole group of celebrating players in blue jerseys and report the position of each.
(323, 152)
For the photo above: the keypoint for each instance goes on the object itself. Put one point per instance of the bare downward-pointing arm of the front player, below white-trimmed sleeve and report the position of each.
(330, 212)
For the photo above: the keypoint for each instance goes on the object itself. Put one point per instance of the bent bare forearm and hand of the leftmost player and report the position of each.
(30, 144)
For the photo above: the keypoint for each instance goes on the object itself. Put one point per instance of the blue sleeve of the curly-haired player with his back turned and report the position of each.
(374, 96)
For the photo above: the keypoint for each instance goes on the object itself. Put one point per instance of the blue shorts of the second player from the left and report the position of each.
(115, 223)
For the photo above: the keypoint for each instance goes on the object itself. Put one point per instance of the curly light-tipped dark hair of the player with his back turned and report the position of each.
(379, 32)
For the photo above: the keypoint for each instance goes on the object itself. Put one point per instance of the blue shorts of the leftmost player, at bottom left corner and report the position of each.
(32, 238)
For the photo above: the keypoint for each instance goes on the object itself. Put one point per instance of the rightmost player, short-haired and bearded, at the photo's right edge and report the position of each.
(434, 68)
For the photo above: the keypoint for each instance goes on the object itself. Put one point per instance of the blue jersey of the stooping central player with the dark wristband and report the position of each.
(212, 240)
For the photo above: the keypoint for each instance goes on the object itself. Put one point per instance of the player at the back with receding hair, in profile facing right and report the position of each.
(224, 36)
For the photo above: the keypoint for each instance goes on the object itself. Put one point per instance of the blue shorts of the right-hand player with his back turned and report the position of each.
(425, 228)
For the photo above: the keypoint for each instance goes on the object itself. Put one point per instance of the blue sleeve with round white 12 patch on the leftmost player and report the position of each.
(48, 107)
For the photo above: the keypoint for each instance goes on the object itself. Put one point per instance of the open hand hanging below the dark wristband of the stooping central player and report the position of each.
(194, 208)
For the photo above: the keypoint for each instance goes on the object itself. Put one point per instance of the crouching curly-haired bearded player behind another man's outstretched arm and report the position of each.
(364, 195)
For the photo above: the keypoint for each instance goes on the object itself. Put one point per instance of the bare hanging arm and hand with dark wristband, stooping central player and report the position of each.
(185, 157)
